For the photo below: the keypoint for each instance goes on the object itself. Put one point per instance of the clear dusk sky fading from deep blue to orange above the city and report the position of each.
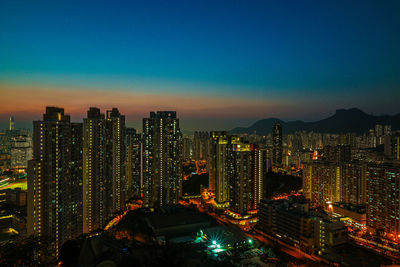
(219, 64)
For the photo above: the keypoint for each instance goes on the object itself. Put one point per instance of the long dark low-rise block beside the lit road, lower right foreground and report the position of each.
(292, 222)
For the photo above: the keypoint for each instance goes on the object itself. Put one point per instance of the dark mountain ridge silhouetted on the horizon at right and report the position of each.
(351, 120)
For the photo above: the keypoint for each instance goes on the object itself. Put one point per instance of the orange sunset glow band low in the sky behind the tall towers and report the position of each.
(32, 100)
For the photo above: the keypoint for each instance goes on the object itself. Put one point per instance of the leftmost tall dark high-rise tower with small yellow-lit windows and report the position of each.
(55, 179)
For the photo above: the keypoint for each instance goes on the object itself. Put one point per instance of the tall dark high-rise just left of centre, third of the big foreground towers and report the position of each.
(162, 159)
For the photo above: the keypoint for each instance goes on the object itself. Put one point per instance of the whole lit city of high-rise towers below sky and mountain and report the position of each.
(86, 177)
